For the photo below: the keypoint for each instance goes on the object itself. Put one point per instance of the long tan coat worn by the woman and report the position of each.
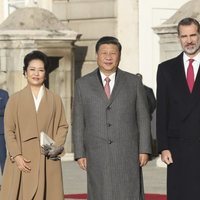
(22, 127)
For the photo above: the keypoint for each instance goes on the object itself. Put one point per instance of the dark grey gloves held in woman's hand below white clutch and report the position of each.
(52, 152)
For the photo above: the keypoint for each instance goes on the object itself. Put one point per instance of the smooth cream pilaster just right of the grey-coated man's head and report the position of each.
(127, 31)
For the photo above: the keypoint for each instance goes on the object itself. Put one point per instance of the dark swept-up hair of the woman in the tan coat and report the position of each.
(36, 55)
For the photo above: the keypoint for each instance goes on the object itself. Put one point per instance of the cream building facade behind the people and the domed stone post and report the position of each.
(132, 21)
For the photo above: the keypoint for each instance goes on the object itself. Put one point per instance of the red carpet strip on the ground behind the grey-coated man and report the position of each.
(147, 196)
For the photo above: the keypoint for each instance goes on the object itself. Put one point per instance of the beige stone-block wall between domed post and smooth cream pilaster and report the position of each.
(92, 19)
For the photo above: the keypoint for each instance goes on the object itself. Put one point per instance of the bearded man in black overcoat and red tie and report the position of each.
(178, 114)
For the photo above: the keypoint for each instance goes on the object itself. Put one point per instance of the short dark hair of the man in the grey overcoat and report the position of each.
(108, 40)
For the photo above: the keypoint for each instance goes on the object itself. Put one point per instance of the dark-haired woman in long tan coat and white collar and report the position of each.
(28, 173)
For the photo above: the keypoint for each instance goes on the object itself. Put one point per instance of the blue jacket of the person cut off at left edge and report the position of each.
(3, 101)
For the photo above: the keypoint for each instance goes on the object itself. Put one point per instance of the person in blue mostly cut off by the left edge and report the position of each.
(3, 101)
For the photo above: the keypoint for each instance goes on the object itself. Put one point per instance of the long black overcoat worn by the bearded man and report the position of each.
(178, 128)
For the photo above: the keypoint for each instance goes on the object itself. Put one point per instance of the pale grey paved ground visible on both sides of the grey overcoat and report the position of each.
(75, 178)
